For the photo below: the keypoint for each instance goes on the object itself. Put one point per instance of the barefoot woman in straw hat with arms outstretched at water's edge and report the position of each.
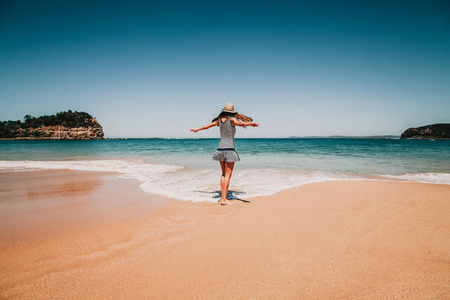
(225, 154)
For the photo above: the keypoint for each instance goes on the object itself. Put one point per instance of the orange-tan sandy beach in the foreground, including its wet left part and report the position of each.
(85, 235)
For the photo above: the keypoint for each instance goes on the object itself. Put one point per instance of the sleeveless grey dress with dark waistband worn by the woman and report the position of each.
(226, 151)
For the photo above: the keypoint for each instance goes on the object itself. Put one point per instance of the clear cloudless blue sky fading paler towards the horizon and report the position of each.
(158, 68)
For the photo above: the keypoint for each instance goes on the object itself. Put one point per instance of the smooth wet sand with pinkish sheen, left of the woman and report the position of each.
(41, 204)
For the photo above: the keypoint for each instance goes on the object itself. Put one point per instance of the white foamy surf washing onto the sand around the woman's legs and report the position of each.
(203, 185)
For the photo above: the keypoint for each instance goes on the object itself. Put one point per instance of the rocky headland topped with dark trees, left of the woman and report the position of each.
(64, 125)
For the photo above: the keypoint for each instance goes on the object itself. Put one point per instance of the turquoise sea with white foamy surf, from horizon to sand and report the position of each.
(183, 168)
